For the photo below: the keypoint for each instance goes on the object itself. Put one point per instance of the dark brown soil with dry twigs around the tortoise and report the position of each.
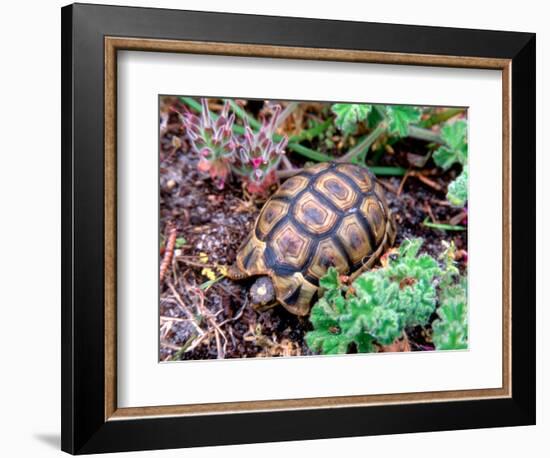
(213, 224)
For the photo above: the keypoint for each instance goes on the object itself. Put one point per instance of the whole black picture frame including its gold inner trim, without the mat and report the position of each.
(92, 35)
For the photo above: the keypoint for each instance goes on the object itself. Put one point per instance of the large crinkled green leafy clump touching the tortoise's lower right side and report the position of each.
(379, 305)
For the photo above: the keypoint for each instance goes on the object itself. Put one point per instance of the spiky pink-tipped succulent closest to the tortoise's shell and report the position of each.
(258, 155)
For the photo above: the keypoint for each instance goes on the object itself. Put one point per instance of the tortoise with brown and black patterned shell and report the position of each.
(331, 214)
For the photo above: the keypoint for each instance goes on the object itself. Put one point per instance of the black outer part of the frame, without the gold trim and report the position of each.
(84, 429)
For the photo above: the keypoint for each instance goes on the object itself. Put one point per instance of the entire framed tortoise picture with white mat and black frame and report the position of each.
(281, 228)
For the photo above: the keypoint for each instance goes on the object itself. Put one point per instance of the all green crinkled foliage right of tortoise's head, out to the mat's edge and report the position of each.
(380, 304)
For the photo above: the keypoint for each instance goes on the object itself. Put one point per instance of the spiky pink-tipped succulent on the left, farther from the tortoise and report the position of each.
(213, 140)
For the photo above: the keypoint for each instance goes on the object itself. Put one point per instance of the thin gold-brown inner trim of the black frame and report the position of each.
(114, 44)
